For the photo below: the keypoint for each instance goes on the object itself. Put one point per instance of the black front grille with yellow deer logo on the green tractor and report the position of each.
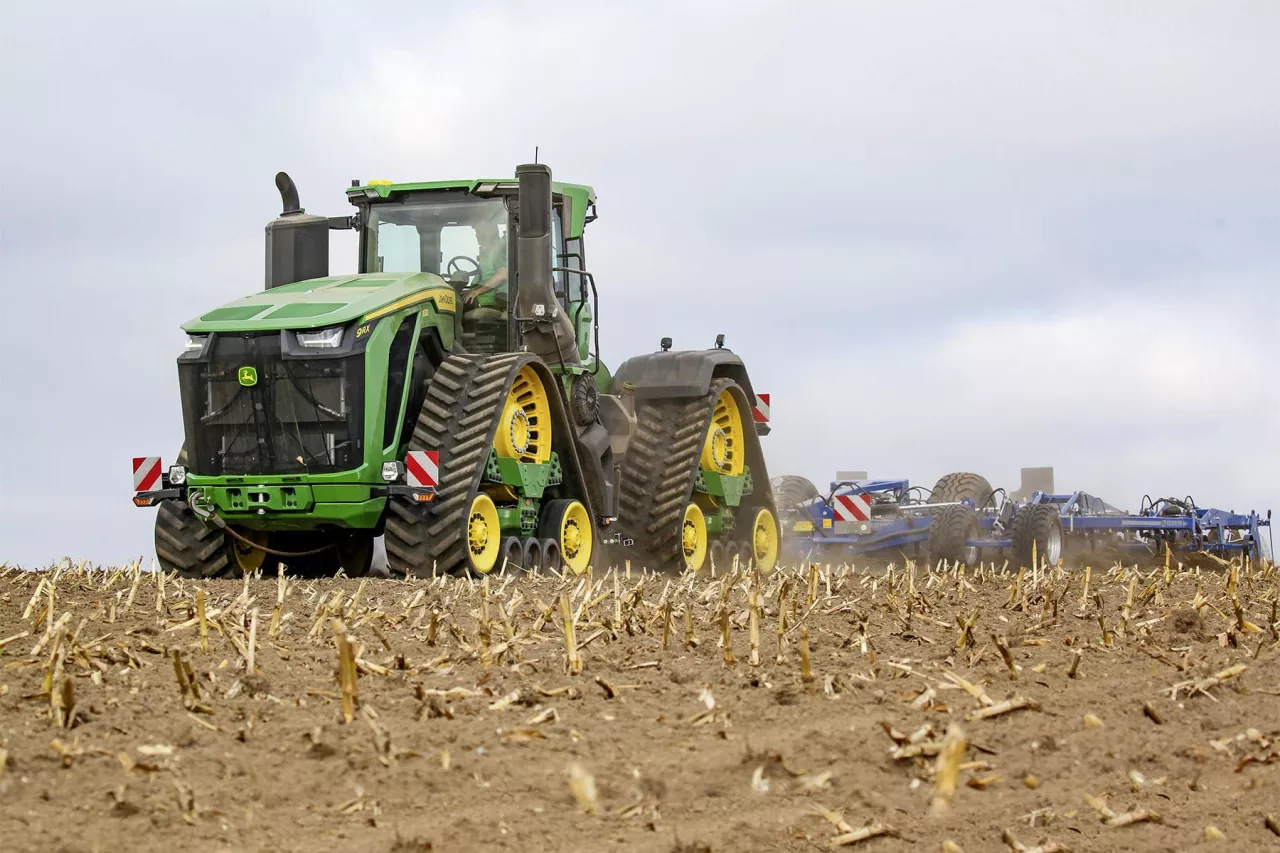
(303, 416)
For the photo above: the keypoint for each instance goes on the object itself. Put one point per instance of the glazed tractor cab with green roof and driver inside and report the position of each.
(465, 234)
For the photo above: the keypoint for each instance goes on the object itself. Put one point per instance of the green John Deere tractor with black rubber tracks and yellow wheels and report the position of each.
(451, 400)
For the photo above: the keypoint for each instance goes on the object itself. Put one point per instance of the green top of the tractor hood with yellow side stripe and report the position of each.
(327, 302)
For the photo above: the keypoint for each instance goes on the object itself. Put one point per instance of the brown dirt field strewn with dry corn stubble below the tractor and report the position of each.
(870, 711)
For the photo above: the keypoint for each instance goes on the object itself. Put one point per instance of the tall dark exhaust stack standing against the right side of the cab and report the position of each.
(548, 331)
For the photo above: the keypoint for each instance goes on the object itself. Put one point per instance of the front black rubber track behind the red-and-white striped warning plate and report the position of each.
(460, 418)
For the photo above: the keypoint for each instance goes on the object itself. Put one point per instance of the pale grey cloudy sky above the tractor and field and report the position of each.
(945, 236)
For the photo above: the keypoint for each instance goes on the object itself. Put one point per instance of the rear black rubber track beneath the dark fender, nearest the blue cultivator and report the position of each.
(660, 469)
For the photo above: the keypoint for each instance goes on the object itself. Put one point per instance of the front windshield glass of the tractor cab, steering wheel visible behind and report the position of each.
(454, 235)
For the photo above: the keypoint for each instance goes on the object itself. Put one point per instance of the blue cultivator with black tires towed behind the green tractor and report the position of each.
(888, 518)
